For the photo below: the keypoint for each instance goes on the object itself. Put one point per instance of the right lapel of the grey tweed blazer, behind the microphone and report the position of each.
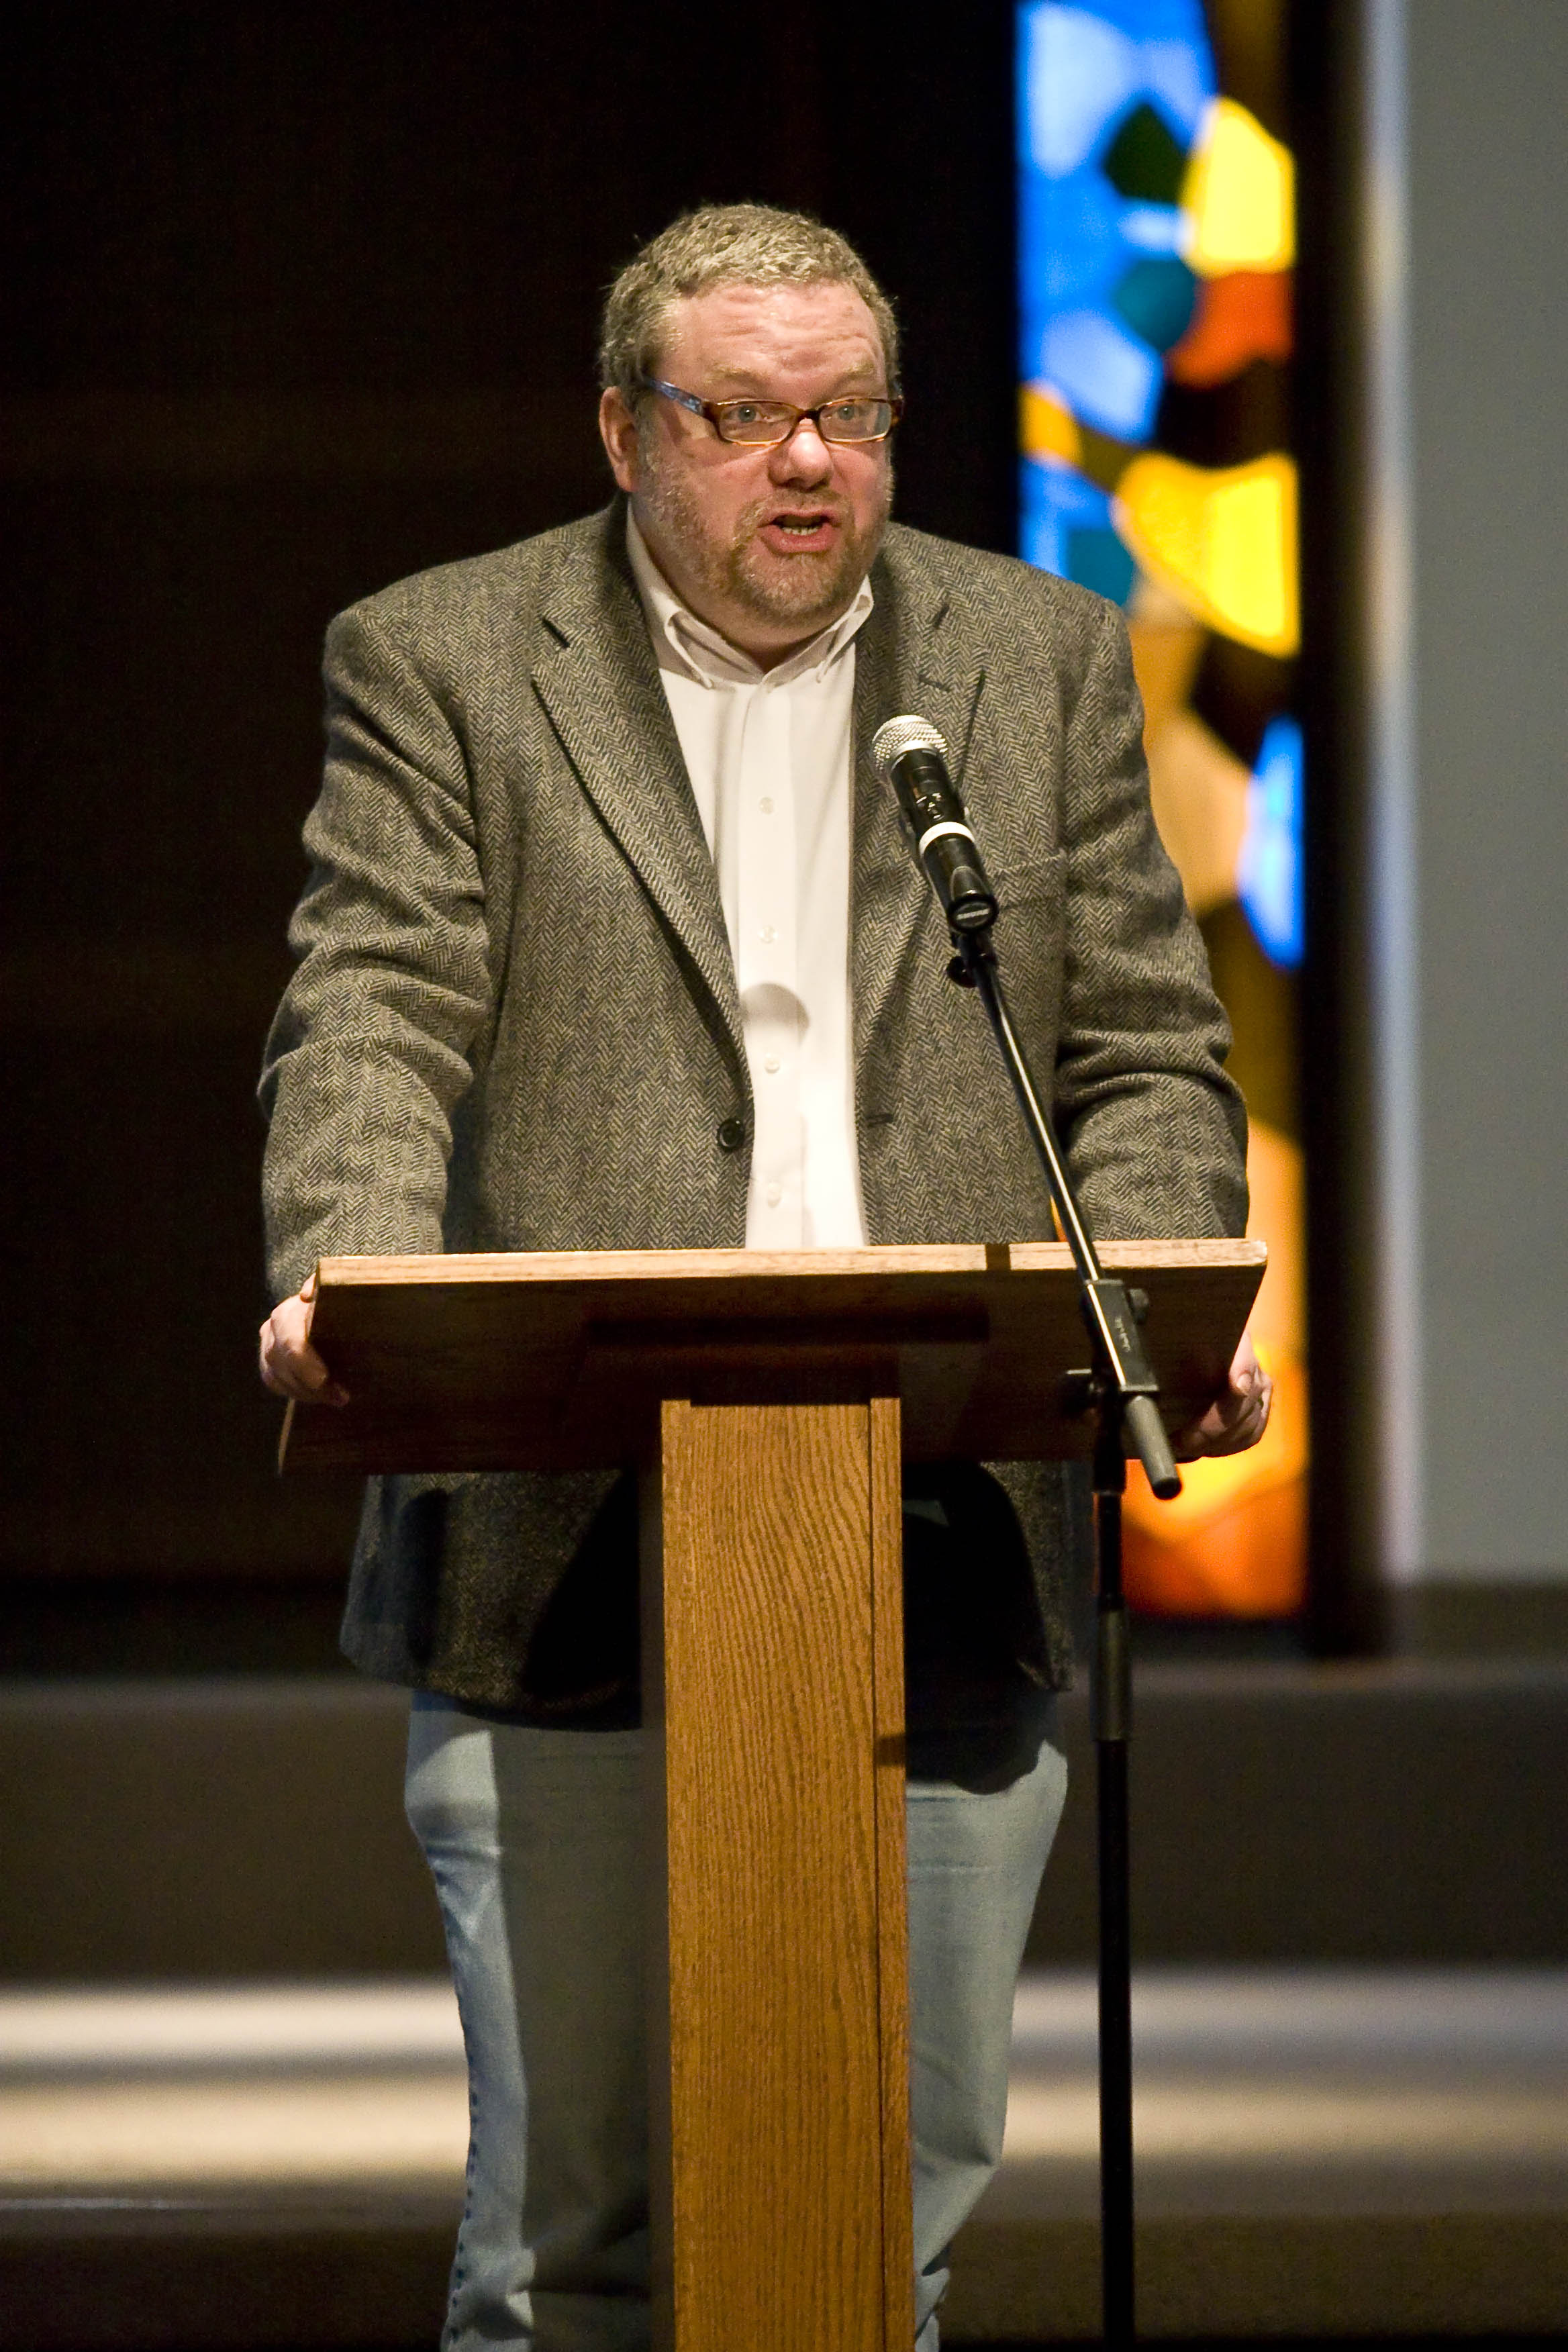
(909, 662)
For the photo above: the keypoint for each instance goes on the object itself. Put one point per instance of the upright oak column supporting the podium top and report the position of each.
(777, 1763)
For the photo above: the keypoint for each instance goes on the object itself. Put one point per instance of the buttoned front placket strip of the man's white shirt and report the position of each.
(770, 968)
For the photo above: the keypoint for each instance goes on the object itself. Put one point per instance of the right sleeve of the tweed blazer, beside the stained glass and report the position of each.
(1153, 1125)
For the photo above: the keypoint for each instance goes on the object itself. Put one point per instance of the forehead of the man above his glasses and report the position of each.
(772, 340)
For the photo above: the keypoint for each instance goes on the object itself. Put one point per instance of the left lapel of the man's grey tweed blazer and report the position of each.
(598, 683)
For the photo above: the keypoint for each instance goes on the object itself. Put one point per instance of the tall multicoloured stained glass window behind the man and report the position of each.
(1158, 236)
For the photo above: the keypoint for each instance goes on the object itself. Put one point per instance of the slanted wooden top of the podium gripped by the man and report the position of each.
(561, 1361)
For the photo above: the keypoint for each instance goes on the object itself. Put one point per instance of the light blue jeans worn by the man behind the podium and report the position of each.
(535, 1847)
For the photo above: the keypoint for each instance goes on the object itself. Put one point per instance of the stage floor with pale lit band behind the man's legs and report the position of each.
(1320, 2151)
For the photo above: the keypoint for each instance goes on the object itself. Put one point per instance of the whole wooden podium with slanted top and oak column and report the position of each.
(770, 1403)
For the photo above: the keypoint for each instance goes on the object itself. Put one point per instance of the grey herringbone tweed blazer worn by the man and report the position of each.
(516, 1022)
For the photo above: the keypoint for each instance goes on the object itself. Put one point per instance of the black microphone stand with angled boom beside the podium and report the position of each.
(1123, 1391)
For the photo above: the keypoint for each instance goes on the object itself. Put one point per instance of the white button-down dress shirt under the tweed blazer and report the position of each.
(770, 763)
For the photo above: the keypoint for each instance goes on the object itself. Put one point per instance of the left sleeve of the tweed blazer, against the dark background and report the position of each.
(368, 1057)
